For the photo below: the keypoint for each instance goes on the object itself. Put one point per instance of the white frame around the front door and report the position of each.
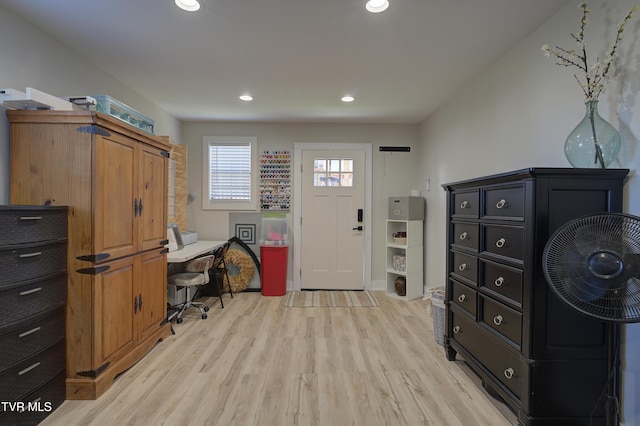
(297, 202)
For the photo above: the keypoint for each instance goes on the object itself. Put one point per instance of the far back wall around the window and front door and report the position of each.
(393, 173)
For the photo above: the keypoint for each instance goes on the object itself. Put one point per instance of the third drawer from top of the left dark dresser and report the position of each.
(31, 298)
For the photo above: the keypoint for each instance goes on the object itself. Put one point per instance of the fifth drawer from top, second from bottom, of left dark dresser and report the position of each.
(32, 372)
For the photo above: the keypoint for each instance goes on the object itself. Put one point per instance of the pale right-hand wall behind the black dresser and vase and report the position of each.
(517, 114)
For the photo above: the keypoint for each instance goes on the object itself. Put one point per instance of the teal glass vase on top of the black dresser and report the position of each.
(594, 143)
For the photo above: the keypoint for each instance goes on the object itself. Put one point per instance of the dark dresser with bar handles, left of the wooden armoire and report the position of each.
(33, 296)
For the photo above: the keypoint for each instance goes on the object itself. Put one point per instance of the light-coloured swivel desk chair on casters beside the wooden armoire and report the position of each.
(196, 275)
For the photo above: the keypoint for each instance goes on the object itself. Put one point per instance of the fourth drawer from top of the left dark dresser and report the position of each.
(25, 339)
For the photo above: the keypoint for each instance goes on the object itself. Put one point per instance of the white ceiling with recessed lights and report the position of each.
(297, 58)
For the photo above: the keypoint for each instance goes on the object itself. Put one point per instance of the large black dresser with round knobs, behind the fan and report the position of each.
(545, 360)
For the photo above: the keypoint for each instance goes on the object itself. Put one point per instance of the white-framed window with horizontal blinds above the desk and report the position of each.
(228, 172)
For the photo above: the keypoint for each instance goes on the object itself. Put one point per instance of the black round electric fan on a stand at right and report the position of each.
(593, 264)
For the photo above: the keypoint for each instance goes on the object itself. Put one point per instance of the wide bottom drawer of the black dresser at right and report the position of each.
(500, 362)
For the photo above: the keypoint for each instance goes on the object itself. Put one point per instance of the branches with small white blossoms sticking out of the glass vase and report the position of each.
(597, 74)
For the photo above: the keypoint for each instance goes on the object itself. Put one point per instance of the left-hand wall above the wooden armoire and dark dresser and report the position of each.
(30, 58)
